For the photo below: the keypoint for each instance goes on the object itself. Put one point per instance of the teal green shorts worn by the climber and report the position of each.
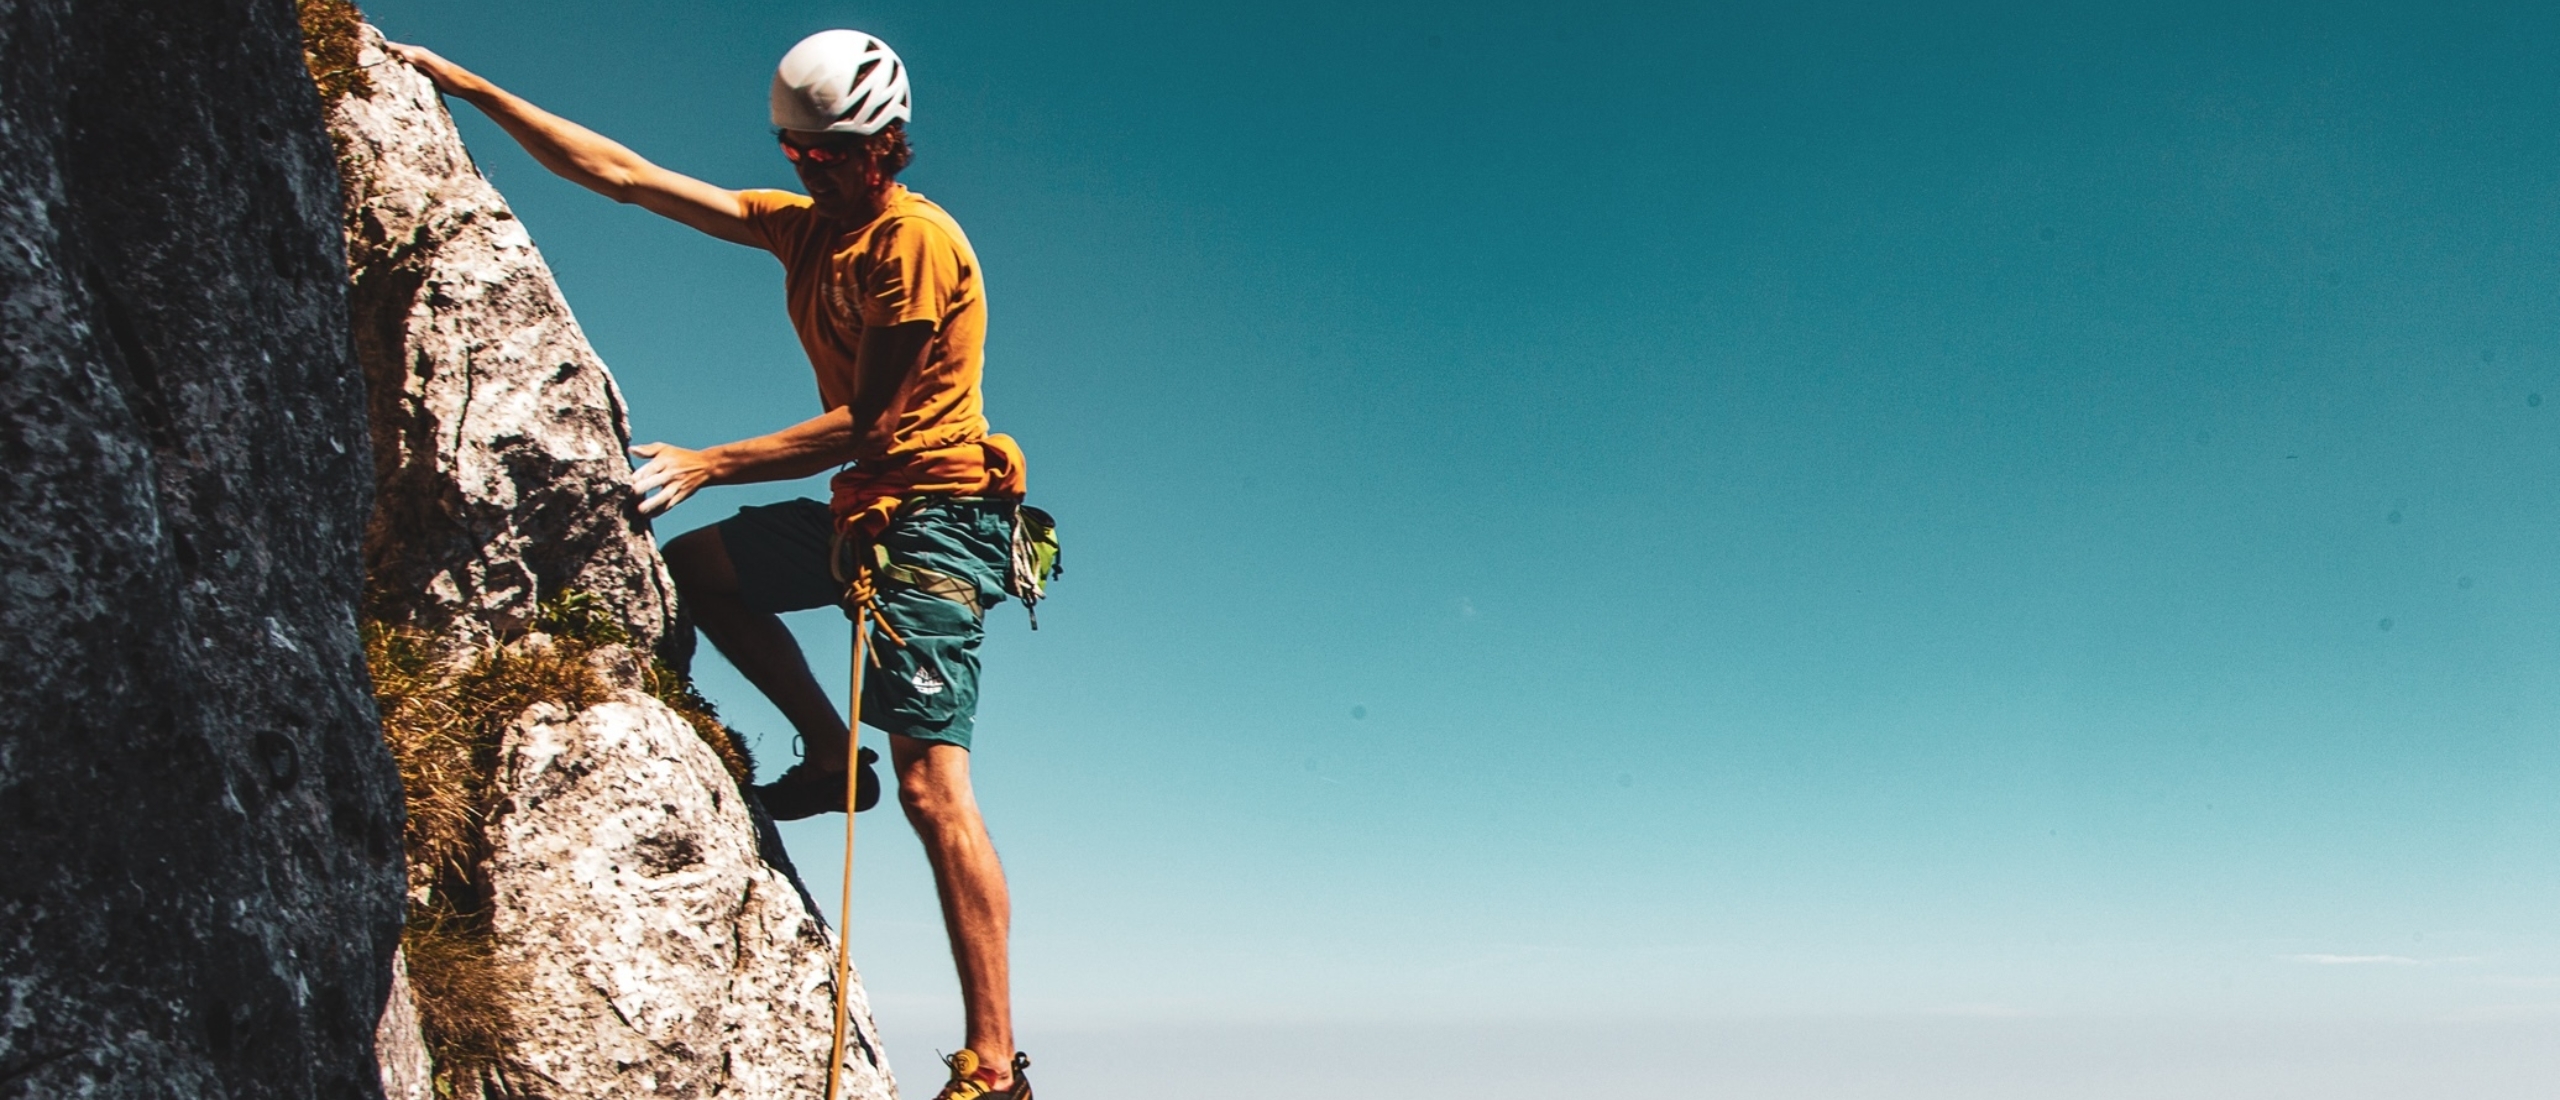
(928, 687)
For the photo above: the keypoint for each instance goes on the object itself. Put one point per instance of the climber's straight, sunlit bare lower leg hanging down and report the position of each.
(977, 909)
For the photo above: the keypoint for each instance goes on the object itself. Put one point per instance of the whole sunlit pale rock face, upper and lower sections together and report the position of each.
(659, 953)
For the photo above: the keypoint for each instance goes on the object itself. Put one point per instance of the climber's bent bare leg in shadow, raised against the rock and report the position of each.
(756, 643)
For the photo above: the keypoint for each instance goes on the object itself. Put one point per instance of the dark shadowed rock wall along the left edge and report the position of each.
(198, 822)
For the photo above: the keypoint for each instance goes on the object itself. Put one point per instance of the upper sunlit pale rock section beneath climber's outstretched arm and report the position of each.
(498, 434)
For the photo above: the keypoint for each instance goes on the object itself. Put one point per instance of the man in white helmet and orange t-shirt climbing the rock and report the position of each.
(890, 306)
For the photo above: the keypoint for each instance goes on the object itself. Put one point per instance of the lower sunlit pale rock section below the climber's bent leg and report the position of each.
(667, 958)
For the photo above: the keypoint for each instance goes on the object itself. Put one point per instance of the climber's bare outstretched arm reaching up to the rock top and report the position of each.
(588, 157)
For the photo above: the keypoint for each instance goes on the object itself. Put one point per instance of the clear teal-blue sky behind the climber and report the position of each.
(1655, 523)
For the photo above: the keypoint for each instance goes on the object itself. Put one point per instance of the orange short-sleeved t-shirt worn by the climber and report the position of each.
(908, 265)
